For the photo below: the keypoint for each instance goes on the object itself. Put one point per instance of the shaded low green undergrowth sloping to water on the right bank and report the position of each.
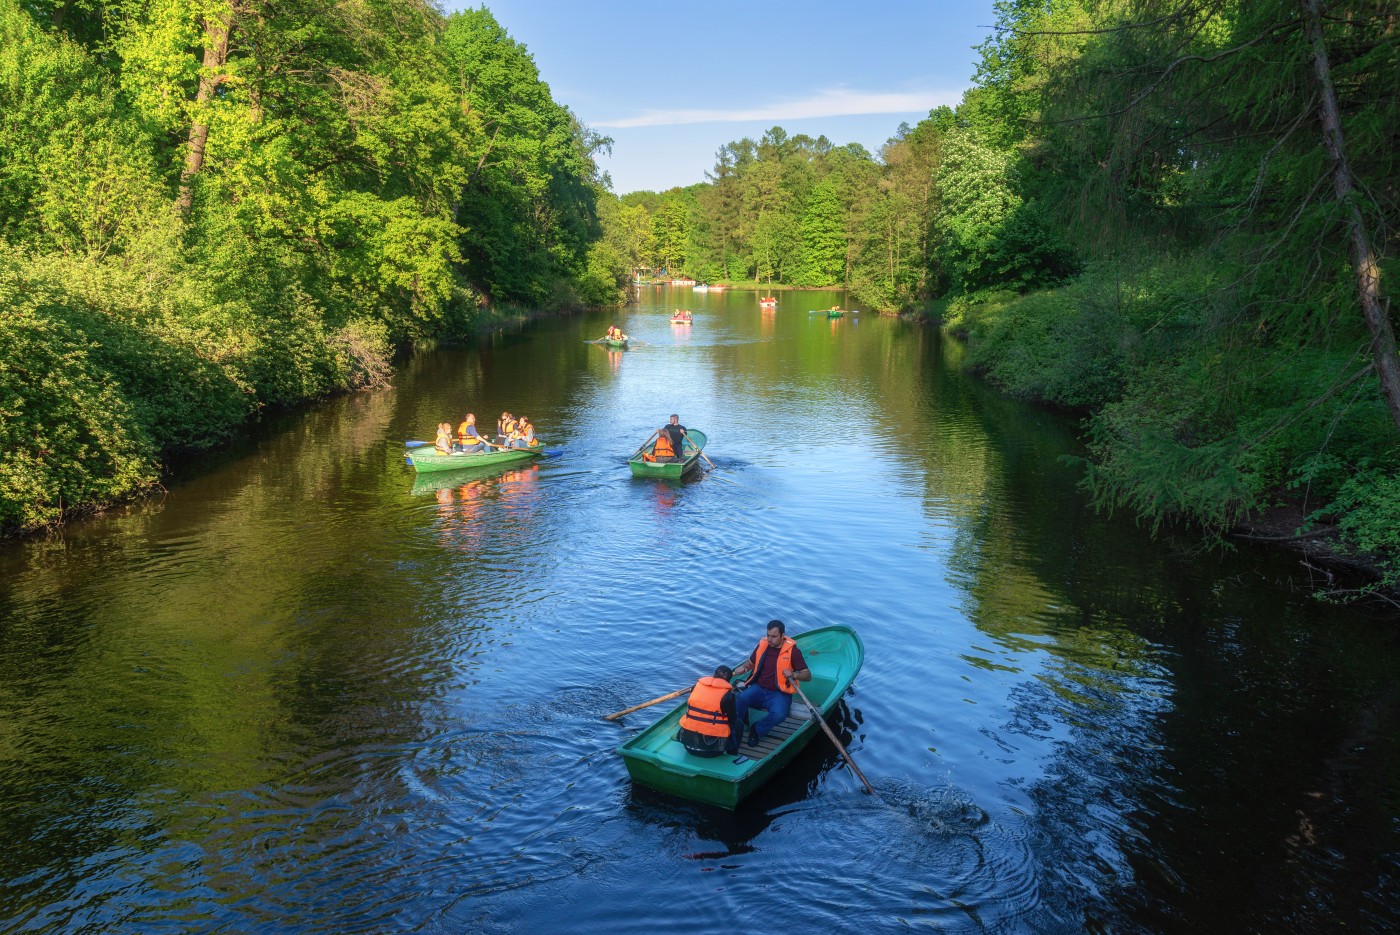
(1195, 411)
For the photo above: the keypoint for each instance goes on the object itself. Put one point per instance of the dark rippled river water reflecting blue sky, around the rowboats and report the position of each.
(303, 692)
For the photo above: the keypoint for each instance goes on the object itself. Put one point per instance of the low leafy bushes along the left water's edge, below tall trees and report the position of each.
(106, 380)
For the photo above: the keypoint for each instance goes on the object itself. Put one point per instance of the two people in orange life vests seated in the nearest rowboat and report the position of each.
(719, 710)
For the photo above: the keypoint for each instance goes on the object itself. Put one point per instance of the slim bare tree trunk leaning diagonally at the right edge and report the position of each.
(1363, 254)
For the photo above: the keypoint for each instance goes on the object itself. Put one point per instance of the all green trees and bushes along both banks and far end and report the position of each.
(211, 211)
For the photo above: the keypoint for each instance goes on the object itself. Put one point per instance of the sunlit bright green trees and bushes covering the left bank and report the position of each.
(213, 208)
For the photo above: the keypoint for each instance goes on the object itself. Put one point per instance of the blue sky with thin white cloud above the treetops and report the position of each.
(671, 83)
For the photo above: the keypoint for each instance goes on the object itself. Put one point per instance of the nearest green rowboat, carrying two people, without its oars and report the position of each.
(656, 759)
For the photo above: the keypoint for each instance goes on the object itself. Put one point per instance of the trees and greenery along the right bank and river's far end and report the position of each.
(1170, 216)
